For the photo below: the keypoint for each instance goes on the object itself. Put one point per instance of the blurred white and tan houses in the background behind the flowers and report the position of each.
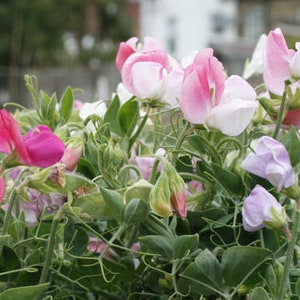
(230, 27)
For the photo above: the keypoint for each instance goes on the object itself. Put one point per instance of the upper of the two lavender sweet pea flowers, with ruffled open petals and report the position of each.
(271, 161)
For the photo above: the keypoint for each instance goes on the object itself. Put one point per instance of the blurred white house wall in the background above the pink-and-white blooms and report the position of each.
(192, 27)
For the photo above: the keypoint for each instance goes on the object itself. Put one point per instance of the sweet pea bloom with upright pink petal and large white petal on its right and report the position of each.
(207, 98)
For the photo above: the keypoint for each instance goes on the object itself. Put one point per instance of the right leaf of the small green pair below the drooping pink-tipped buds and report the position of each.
(185, 244)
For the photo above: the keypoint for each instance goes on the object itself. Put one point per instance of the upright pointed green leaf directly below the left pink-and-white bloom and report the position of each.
(128, 116)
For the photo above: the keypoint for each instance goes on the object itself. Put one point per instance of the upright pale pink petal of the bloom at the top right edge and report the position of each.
(277, 62)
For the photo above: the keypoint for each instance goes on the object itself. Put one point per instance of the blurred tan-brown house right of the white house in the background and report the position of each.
(253, 18)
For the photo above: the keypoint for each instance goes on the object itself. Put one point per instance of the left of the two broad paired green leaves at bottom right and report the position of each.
(202, 277)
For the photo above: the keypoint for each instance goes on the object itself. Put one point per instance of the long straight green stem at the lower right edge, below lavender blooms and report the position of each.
(289, 254)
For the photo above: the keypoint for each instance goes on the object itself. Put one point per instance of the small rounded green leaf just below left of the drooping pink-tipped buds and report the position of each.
(136, 211)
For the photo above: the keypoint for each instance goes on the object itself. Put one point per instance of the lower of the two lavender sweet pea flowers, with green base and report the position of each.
(261, 210)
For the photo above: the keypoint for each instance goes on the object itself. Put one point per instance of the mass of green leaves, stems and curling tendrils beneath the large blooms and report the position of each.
(105, 241)
